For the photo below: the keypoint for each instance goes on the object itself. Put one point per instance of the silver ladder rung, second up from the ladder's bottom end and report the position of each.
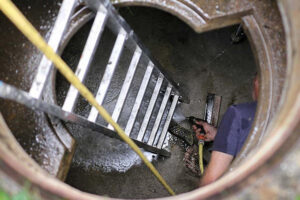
(159, 115)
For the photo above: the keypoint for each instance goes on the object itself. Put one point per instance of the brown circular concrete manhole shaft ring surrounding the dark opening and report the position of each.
(274, 38)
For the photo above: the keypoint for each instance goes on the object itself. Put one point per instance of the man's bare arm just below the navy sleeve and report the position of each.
(217, 166)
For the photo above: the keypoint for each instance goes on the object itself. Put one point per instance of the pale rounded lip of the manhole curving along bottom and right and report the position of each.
(280, 128)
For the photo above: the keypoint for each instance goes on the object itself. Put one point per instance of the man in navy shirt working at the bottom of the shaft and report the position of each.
(229, 138)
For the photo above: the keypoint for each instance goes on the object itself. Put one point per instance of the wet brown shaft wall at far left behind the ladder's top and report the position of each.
(19, 61)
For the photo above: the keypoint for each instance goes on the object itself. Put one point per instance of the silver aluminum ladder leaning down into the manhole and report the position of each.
(150, 132)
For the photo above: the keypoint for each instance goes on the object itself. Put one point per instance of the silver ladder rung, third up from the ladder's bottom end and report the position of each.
(150, 107)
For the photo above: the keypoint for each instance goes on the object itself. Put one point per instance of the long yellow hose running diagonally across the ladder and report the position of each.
(12, 12)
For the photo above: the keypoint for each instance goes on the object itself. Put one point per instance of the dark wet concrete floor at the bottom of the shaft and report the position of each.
(200, 63)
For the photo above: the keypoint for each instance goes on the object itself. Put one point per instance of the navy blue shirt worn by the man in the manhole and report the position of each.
(234, 128)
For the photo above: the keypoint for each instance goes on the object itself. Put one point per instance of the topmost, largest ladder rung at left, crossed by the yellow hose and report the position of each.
(57, 33)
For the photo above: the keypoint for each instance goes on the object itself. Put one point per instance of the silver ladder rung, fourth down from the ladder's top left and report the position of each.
(127, 82)
